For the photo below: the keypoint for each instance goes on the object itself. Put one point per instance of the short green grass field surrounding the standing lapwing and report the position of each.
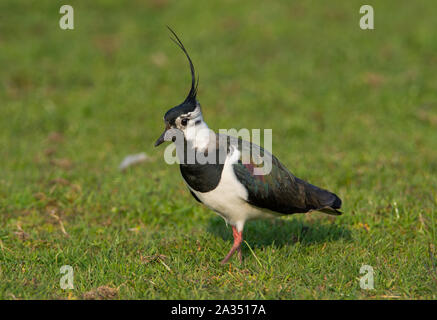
(352, 111)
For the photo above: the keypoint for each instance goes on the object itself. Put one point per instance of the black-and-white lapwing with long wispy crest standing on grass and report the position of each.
(230, 185)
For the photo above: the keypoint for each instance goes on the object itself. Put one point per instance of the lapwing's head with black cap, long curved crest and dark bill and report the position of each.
(186, 115)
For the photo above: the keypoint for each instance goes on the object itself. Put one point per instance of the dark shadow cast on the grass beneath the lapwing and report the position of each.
(280, 232)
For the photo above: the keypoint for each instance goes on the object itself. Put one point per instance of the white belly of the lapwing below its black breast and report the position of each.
(229, 198)
